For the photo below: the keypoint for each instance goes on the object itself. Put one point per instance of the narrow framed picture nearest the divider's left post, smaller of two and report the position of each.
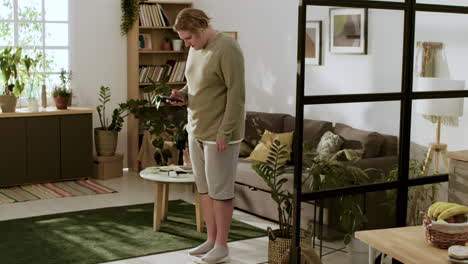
(313, 43)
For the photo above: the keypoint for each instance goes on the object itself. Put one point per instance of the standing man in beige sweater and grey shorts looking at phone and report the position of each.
(215, 97)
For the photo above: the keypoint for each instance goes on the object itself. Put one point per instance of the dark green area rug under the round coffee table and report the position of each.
(107, 234)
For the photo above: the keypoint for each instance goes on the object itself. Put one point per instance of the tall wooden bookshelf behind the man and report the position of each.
(152, 25)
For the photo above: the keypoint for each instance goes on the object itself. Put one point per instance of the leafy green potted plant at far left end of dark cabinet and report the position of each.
(13, 82)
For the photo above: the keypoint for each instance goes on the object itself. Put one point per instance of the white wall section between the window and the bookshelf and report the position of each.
(98, 55)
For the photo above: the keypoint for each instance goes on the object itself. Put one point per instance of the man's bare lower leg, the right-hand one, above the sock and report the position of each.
(223, 216)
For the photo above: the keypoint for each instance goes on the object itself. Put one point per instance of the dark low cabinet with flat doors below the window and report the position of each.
(45, 148)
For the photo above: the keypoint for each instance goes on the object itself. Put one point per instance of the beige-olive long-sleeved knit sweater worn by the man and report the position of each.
(215, 91)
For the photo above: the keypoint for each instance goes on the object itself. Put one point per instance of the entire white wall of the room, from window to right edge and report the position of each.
(268, 36)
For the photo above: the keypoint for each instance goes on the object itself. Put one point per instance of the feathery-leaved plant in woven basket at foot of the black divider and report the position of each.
(270, 171)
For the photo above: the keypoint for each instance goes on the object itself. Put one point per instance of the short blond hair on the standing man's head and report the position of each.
(191, 19)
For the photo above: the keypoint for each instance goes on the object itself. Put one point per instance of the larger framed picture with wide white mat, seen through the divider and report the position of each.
(348, 30)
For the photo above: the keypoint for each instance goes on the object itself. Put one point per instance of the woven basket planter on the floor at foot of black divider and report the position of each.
(280, 246)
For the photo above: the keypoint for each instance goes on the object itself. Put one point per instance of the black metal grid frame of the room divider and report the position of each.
(405, 97)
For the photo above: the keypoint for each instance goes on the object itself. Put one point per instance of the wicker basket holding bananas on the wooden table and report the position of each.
(455, 234)
